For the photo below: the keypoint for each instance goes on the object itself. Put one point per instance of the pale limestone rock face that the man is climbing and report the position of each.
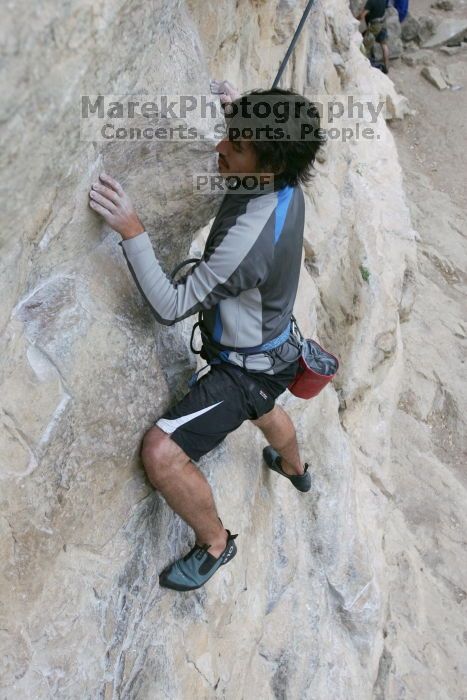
(301, 611)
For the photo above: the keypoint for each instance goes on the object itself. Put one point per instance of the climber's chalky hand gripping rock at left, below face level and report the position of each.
(108, 199)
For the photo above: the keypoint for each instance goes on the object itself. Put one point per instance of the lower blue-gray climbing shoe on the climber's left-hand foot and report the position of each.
(195, 568)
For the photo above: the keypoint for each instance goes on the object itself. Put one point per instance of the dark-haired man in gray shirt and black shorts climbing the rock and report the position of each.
(245, 287)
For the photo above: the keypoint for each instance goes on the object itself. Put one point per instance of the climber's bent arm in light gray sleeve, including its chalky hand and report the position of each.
(237, 264)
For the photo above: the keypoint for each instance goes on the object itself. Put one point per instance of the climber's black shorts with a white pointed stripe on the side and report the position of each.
(219, 403)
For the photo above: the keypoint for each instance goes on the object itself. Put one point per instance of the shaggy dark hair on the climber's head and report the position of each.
(292, 155)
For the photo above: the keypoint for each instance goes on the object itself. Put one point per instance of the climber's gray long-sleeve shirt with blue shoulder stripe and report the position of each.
(247, 279)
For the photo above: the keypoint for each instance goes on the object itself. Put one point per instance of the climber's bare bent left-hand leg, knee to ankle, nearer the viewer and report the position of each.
(184, 487)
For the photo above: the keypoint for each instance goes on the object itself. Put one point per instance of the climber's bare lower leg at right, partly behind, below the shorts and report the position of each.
(279, 431)
